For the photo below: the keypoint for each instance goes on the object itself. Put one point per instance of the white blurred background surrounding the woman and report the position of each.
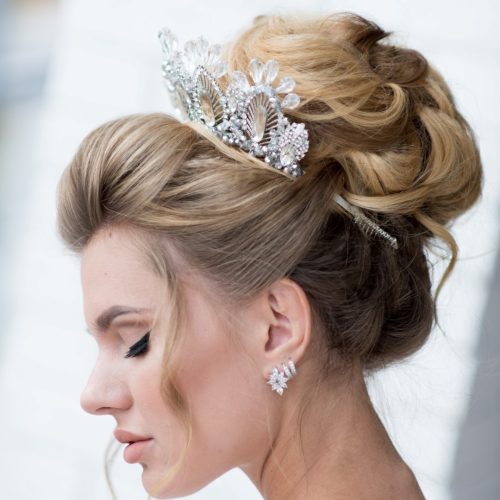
(67, 66)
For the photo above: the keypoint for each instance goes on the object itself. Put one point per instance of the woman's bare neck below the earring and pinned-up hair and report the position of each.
(345, 453)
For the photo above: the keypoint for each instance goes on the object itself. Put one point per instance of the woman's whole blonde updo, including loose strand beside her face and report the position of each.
(384, 131)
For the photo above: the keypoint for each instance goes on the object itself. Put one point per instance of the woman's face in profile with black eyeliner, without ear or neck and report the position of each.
(223, 389)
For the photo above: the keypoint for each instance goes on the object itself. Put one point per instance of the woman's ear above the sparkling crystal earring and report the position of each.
(286, 330)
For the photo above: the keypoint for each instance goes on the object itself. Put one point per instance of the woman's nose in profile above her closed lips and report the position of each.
(106, 391)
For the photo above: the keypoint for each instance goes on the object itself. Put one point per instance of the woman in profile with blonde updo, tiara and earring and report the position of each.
(245, 268)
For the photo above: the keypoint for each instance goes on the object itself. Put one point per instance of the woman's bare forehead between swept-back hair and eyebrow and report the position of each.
(114, 271)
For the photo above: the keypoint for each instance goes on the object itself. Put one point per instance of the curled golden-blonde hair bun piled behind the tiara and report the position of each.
(380, 117)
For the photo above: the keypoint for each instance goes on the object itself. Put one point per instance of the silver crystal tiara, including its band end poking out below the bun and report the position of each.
(246, 115)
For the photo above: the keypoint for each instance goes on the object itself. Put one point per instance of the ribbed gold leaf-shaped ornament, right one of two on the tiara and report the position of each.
(261, 118)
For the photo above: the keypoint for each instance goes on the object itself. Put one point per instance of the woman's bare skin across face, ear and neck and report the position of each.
(236, 415)
